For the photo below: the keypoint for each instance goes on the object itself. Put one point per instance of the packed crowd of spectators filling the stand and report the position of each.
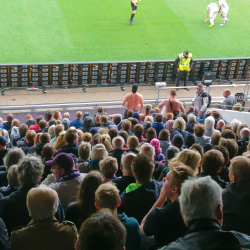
(152, 180)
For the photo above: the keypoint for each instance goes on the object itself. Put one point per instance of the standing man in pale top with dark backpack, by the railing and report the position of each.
(200, 101)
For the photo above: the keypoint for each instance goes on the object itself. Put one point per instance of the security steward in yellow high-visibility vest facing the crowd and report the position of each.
(183, 63)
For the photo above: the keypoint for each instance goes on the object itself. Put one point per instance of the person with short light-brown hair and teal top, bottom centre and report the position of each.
(107, 196)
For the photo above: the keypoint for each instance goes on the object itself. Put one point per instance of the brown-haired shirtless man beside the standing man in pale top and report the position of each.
(172, 105)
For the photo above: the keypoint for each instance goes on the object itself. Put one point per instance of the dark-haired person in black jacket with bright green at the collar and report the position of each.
(133, 202)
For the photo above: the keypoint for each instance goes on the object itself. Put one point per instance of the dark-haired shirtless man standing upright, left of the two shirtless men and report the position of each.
(133, 99)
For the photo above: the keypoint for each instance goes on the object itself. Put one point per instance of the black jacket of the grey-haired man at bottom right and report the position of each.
(205, 234)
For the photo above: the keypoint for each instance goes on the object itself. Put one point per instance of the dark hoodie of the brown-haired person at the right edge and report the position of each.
(236, 206)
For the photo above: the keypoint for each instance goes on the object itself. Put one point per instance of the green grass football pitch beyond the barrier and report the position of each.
(40, 31)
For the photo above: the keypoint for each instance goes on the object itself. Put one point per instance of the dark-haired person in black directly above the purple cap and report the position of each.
(71, 138)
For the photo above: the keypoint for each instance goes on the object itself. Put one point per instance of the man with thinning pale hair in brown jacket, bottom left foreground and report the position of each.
(46, 231)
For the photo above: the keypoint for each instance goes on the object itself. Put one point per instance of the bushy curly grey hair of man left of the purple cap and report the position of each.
(30, 169)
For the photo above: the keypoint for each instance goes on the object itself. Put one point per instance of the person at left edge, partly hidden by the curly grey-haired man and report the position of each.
(13, 183)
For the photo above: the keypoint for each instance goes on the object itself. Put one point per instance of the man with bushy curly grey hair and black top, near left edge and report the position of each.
(13, 209)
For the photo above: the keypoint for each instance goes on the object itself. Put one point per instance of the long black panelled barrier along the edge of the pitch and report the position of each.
(117, 73)
